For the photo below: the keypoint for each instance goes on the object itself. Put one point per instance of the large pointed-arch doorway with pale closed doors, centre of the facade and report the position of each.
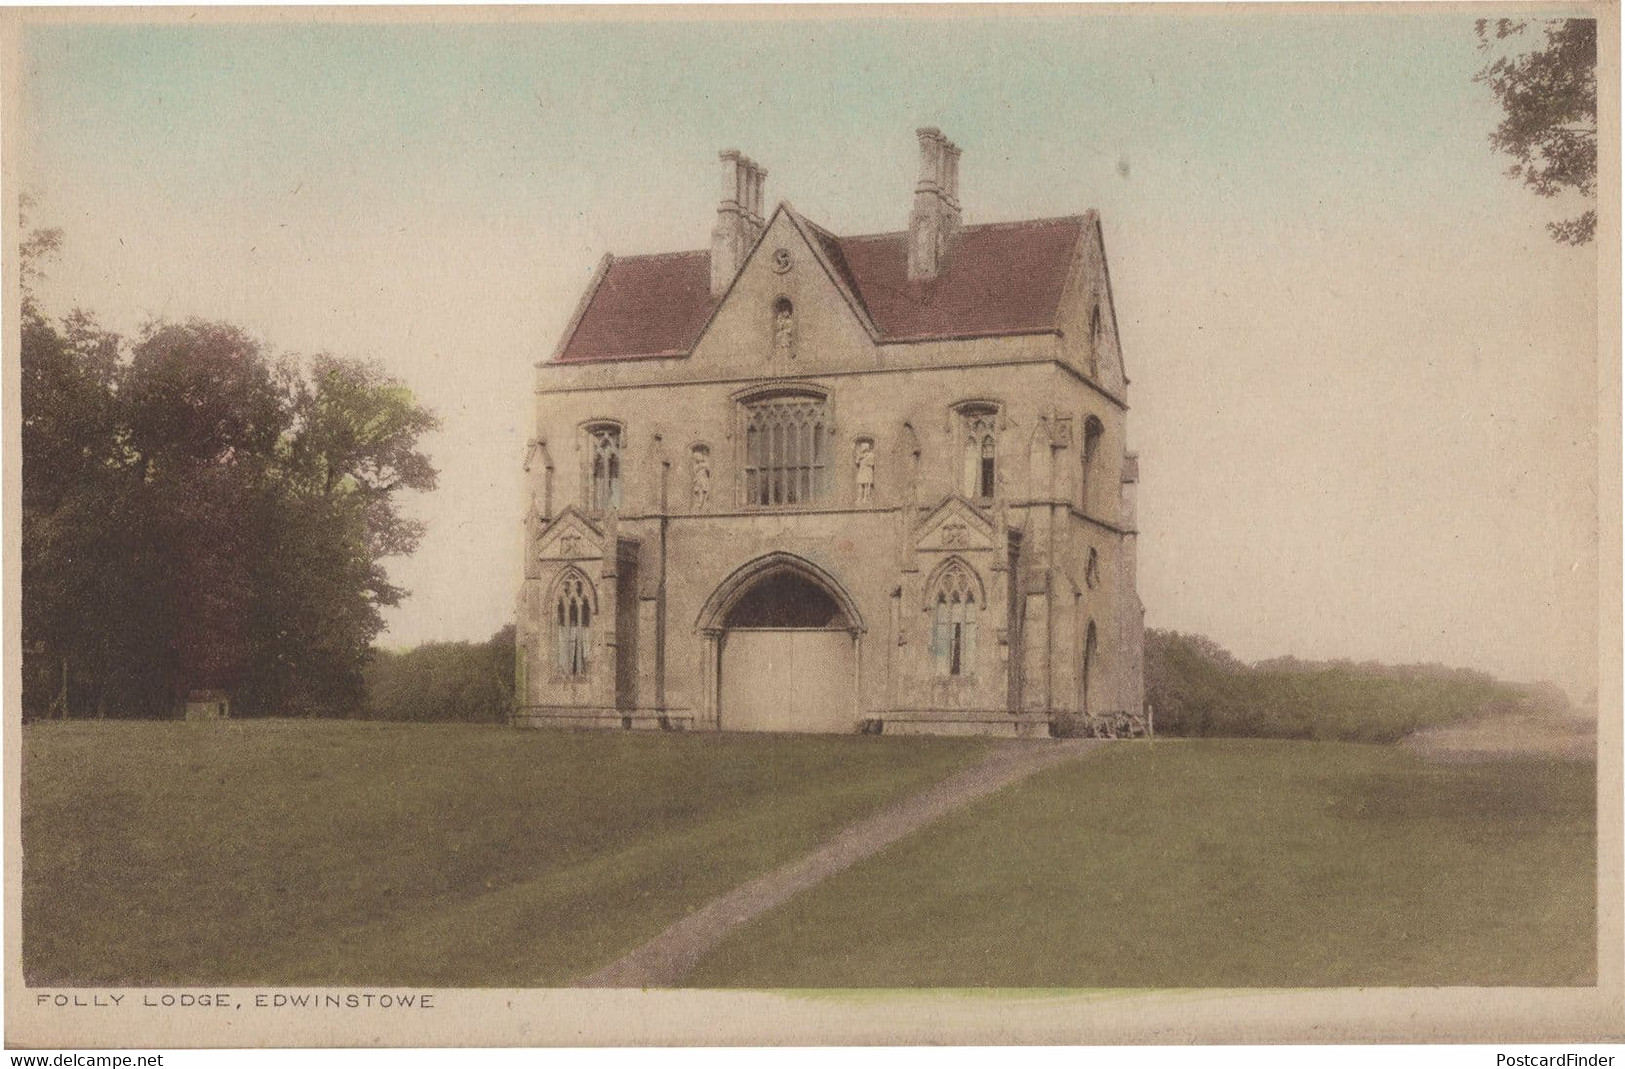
(787, 649)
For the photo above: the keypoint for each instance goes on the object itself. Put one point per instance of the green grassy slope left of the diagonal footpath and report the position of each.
(409, 854)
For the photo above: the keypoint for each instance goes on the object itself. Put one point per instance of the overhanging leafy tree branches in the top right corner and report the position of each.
(1549, 97)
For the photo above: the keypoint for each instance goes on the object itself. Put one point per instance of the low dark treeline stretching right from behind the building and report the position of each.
(1197, 688)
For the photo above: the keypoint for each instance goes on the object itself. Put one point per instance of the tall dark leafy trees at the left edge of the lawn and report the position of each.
(199, 516)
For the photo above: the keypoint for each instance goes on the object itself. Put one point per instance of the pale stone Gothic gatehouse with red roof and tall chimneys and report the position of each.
(815, 483)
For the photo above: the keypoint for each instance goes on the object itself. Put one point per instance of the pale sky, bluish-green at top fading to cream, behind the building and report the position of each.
(1363, 374)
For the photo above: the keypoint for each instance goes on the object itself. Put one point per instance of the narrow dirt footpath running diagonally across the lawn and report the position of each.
(664, 961)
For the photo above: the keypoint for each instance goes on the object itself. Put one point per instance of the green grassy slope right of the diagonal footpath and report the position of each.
(1215, 863)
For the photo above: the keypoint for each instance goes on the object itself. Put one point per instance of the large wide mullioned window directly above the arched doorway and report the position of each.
(787, 443)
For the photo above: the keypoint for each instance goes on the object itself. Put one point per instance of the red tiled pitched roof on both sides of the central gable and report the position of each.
(1000, 279)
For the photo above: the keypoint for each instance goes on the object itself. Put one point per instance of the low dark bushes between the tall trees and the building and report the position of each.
(444, 682)
